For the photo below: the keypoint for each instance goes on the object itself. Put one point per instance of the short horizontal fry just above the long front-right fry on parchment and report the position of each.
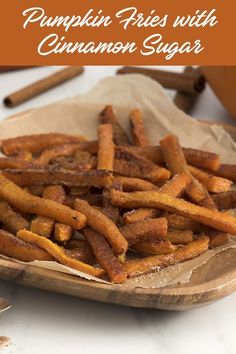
(155, 247)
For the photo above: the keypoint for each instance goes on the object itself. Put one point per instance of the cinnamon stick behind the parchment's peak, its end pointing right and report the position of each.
(184, 82)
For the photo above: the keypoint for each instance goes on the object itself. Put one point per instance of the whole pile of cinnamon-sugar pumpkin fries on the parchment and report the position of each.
(90, 204)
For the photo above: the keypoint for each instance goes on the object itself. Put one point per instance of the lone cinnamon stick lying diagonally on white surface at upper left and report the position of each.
(42, 85)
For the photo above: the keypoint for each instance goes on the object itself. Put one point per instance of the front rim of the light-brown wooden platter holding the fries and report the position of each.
(210, 282)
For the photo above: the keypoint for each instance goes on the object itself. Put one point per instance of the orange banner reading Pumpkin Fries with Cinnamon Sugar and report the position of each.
(120, 32)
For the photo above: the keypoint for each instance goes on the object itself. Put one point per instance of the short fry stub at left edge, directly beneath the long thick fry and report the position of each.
(10, 219)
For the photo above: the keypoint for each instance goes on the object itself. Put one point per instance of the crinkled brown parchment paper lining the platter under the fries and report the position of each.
(79, 115)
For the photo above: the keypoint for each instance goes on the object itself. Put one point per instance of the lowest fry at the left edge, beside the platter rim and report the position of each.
(14, 247)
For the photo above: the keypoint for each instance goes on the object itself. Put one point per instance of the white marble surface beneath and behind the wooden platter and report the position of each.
(42, 322)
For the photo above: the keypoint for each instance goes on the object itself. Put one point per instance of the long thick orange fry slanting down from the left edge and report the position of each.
(28, 203)
